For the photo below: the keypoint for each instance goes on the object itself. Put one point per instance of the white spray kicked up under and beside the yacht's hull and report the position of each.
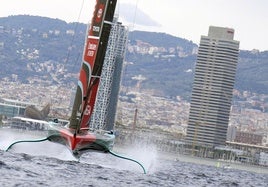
(144, 153)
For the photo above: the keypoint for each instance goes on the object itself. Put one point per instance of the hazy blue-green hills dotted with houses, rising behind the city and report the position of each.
(33, 47)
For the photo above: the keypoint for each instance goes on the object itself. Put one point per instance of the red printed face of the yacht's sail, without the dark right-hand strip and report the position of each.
(80, 107)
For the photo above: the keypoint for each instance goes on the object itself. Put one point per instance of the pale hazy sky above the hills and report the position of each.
(188, 19)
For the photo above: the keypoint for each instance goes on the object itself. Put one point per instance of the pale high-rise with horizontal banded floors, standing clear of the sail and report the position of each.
(212, 88)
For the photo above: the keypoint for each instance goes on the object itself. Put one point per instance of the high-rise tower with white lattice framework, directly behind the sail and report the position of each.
(104, 113)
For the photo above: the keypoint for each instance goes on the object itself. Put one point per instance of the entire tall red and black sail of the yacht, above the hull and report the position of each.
(93, 58)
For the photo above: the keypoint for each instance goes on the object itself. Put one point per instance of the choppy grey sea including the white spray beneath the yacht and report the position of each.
(48, 164)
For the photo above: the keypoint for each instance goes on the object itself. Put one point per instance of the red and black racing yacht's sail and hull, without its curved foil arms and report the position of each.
(77, 135)
